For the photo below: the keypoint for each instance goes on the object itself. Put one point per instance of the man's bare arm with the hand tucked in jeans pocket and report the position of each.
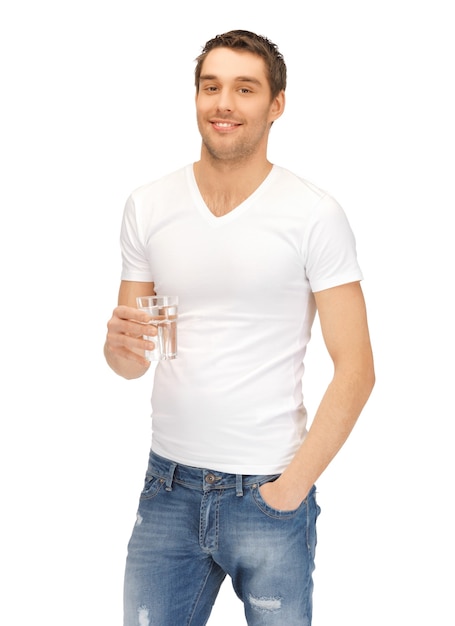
(345, 330)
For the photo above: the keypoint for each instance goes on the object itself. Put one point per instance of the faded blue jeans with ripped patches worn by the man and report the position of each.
(194, 527)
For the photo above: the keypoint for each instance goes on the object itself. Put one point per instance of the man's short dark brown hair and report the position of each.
(249, 42)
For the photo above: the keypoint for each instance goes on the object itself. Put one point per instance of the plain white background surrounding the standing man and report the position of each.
(97, 99)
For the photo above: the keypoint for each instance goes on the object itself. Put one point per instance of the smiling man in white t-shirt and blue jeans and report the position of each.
(252, 251)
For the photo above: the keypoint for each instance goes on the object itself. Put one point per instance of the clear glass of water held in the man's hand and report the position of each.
(164, 311)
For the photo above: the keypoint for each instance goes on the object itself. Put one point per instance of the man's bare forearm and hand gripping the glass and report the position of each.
(125, 346)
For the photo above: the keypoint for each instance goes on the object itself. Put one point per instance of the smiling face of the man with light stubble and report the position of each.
(234, 105)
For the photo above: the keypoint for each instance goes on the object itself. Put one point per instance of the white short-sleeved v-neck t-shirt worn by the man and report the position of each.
(232, 400)
